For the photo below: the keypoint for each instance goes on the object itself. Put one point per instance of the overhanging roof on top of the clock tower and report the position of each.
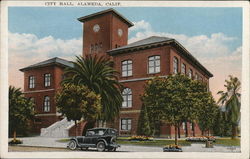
(111, 10)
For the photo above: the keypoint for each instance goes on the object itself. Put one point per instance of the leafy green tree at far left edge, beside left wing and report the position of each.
(21, 111)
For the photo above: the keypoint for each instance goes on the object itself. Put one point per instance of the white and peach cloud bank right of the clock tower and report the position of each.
(212, 51)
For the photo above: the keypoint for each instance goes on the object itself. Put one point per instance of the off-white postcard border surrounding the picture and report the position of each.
(245, 87)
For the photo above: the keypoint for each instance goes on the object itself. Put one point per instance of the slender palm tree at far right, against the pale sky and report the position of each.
(231, 100)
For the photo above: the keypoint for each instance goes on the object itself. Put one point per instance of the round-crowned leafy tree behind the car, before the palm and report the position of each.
(77, 101)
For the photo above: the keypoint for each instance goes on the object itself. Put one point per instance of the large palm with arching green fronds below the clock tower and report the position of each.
(97, 73)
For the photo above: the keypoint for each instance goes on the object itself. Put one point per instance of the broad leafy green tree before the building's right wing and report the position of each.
(177, 99)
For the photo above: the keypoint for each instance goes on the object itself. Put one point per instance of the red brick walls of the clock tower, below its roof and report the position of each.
(107, 35)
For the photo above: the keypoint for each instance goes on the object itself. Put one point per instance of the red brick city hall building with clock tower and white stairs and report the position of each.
(106, 33)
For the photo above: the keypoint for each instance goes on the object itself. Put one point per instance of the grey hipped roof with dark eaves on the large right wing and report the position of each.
(156, 41)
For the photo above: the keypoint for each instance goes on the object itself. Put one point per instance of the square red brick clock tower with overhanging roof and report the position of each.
(103, 31)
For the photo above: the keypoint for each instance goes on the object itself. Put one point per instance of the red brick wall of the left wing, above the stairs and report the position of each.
(43, 119)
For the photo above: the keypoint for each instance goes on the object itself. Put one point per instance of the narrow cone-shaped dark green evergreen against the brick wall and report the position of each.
(143, 123)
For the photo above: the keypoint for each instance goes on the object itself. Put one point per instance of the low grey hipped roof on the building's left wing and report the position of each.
(54, 61)
